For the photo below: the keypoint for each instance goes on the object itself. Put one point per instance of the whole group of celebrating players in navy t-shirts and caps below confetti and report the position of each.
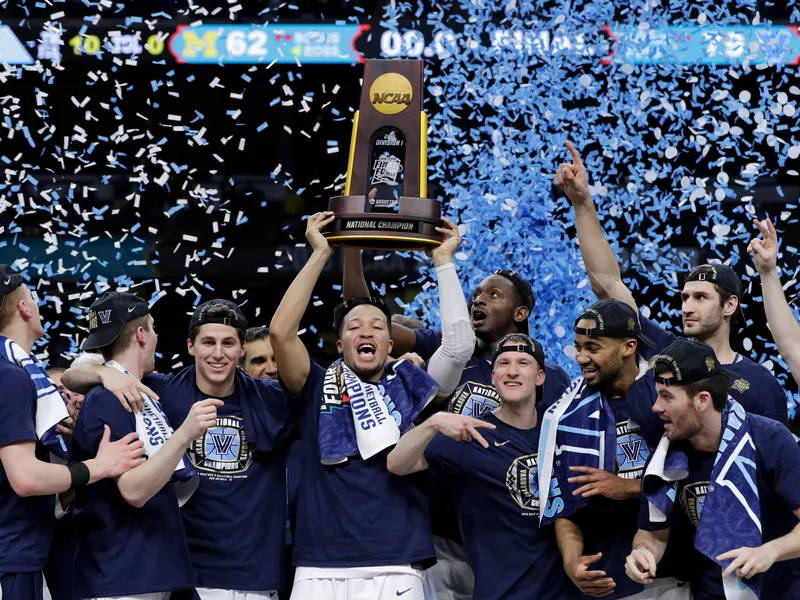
(467, 466)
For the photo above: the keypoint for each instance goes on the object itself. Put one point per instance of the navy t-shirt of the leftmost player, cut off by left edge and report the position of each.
(26, 524)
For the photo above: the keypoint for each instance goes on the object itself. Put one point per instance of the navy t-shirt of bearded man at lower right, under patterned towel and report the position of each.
(778, 481)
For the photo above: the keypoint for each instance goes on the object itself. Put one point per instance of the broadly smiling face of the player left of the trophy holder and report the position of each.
(216, 350)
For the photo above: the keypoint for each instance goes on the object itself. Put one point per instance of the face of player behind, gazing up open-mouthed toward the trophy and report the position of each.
(496, 309)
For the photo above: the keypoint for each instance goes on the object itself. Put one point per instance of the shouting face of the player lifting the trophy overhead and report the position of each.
(365, 341)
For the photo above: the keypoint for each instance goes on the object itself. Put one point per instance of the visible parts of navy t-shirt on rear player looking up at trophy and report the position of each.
(475, 396)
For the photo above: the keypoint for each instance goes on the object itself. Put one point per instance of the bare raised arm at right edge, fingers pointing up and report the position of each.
(780, 317)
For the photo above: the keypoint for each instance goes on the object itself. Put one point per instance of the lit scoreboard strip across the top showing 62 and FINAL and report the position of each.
(346, 43)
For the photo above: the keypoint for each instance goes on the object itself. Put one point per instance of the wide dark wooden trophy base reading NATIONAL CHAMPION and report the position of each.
(412, 227)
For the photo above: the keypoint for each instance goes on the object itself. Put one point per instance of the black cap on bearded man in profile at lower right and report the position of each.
(688, 361)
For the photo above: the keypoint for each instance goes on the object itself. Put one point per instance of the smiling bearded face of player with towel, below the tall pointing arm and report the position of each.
(601, 359)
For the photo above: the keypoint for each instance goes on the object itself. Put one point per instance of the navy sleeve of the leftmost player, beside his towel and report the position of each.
(17, 407)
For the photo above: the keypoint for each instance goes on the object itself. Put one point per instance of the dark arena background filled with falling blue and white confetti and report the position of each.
(175, 150)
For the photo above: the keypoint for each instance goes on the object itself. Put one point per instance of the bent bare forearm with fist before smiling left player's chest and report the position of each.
(139, 485)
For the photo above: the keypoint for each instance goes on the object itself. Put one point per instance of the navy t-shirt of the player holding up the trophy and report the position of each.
(355, 514)
